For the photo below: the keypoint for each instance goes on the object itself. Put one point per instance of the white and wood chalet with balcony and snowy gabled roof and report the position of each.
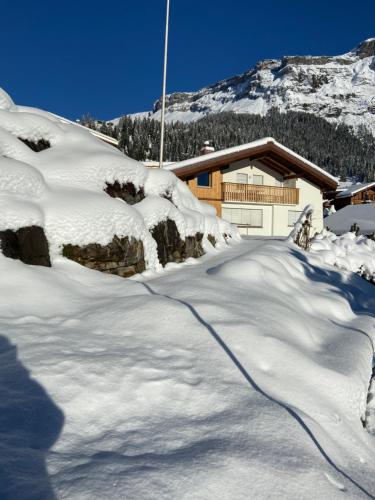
(262, 187)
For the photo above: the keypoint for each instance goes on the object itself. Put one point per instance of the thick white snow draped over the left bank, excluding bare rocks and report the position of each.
(61, 188)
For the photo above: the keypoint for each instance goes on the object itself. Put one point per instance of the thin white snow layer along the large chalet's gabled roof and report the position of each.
(244, 147)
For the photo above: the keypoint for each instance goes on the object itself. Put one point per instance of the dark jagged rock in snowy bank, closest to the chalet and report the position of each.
(170, 246)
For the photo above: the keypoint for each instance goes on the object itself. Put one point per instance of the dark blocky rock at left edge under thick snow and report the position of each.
(28, 244)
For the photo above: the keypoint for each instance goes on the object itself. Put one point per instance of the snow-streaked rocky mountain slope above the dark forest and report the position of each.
(340, 89)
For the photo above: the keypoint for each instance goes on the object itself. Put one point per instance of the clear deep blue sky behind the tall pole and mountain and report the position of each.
(105, 58)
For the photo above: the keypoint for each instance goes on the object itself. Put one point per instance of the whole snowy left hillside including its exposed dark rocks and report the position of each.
(85, 199)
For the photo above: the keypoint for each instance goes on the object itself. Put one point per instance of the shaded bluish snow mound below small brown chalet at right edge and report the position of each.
(341, 221)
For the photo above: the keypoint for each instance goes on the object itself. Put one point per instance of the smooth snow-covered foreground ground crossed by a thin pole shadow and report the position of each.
(243, 374)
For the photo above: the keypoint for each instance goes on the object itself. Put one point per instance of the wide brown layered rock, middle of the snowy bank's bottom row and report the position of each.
(122, 256)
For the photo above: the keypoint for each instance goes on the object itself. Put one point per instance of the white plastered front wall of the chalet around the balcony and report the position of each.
(275, 217)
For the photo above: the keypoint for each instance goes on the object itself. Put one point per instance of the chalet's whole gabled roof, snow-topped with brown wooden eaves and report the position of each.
(269, 151)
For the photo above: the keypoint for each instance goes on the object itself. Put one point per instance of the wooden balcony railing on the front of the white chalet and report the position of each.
(251, 193)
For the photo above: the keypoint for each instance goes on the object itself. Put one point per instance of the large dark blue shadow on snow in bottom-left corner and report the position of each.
(30, 424)
